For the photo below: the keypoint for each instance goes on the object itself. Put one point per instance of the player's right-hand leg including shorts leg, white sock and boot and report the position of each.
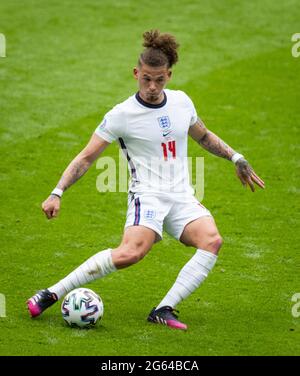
(192, 224)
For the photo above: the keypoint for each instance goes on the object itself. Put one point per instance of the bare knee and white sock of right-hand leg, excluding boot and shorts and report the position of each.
(202, 234)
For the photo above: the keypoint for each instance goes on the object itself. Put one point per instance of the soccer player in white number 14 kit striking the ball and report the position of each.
(152, 128)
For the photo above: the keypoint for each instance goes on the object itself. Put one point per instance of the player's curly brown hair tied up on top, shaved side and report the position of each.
(161, 49)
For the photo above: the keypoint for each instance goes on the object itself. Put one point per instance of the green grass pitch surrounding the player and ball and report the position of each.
(68, 62)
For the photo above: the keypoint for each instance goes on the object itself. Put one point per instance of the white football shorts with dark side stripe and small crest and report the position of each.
(169, 212)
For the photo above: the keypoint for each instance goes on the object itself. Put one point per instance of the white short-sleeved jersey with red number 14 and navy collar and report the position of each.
(154, 140)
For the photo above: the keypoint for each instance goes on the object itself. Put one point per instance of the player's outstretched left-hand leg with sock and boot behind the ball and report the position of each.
(136, 243)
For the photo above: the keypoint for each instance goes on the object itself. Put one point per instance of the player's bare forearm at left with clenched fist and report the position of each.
(79, 165)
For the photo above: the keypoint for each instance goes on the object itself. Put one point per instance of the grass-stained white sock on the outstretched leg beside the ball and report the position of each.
(95, 267)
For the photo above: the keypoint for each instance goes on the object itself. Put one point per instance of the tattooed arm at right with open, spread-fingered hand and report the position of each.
(212, 143)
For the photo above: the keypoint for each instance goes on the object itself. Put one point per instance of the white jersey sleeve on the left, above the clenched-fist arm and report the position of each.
(112, 125)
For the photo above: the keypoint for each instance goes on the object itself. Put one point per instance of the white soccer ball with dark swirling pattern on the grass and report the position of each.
(82, 308)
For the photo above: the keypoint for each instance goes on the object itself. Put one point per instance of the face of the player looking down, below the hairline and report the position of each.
(152, 81)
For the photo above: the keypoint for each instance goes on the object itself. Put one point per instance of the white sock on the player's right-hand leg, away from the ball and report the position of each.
(189, 278)
